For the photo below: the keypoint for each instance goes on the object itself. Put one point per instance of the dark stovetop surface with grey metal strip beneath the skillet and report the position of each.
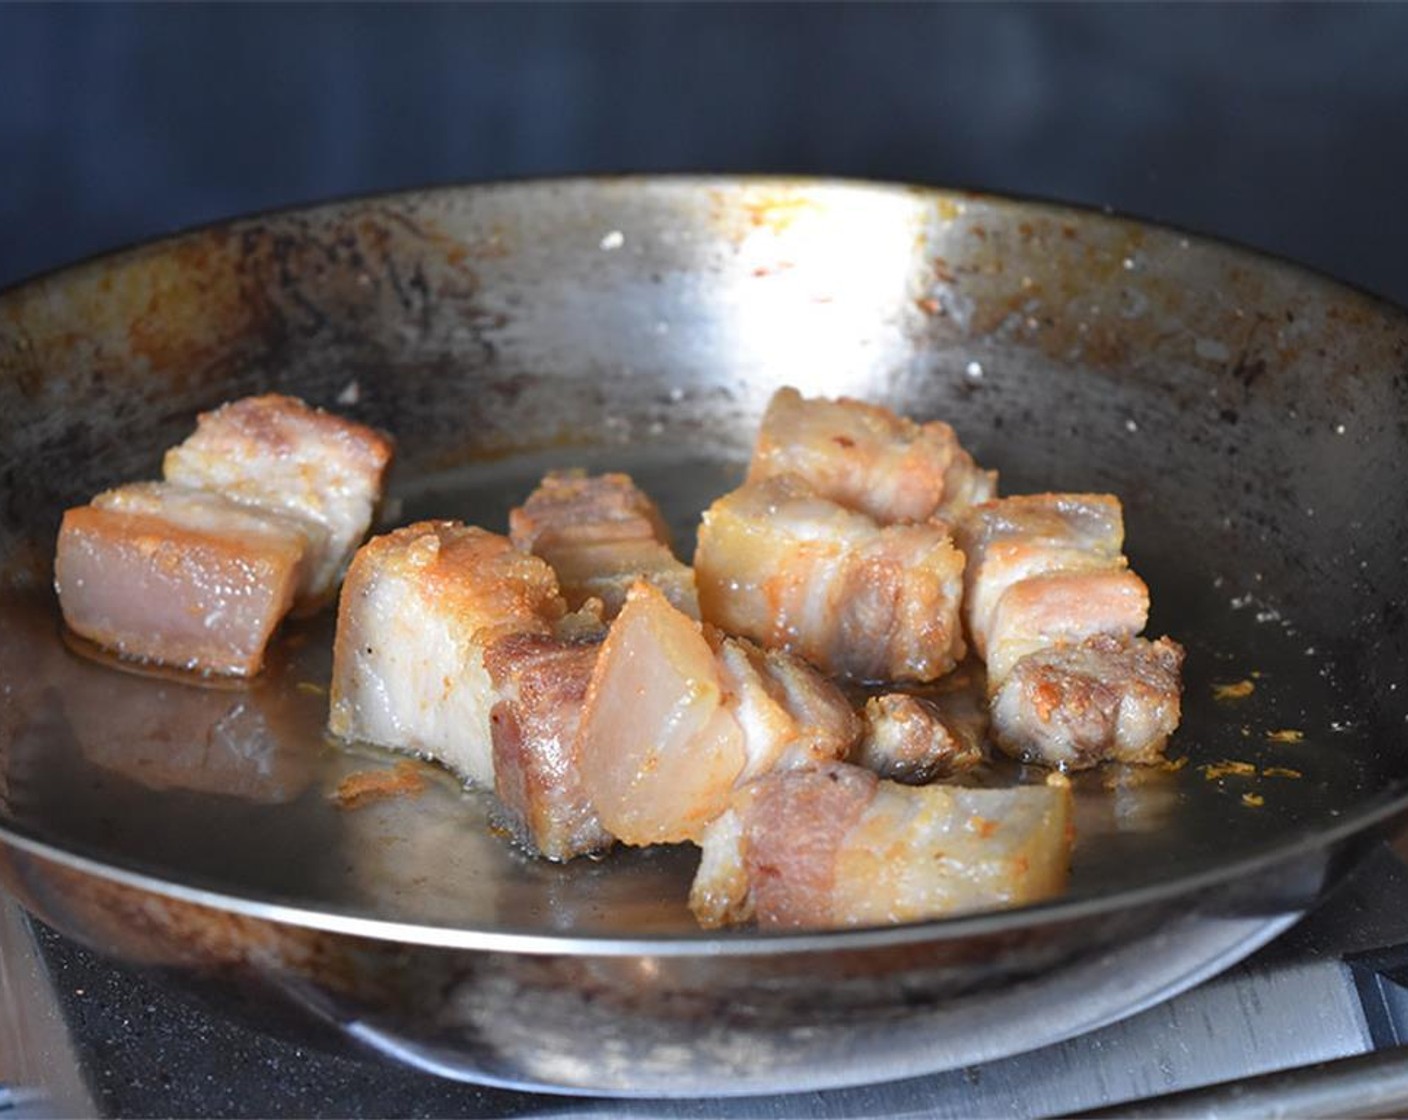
(118, 1043)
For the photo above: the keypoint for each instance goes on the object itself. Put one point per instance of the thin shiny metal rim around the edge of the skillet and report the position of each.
(1375, 811)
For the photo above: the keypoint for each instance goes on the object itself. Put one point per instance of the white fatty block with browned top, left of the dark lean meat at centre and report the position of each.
(419, 611)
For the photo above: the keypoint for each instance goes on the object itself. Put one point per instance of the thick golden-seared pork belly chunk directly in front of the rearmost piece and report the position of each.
(795, 571)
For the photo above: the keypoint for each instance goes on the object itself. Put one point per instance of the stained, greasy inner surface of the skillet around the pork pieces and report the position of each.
(1254, 419)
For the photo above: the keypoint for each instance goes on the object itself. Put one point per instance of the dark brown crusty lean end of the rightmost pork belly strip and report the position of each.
(1078, 705)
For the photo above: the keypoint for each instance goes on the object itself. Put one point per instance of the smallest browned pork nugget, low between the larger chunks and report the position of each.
(914, 740)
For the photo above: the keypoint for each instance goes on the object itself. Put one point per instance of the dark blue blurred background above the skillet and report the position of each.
(1279, 126)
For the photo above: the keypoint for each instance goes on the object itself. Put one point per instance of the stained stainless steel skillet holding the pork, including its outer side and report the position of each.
(1252, 416)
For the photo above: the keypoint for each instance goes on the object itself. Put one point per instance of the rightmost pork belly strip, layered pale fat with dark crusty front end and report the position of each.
(1054, 609)
